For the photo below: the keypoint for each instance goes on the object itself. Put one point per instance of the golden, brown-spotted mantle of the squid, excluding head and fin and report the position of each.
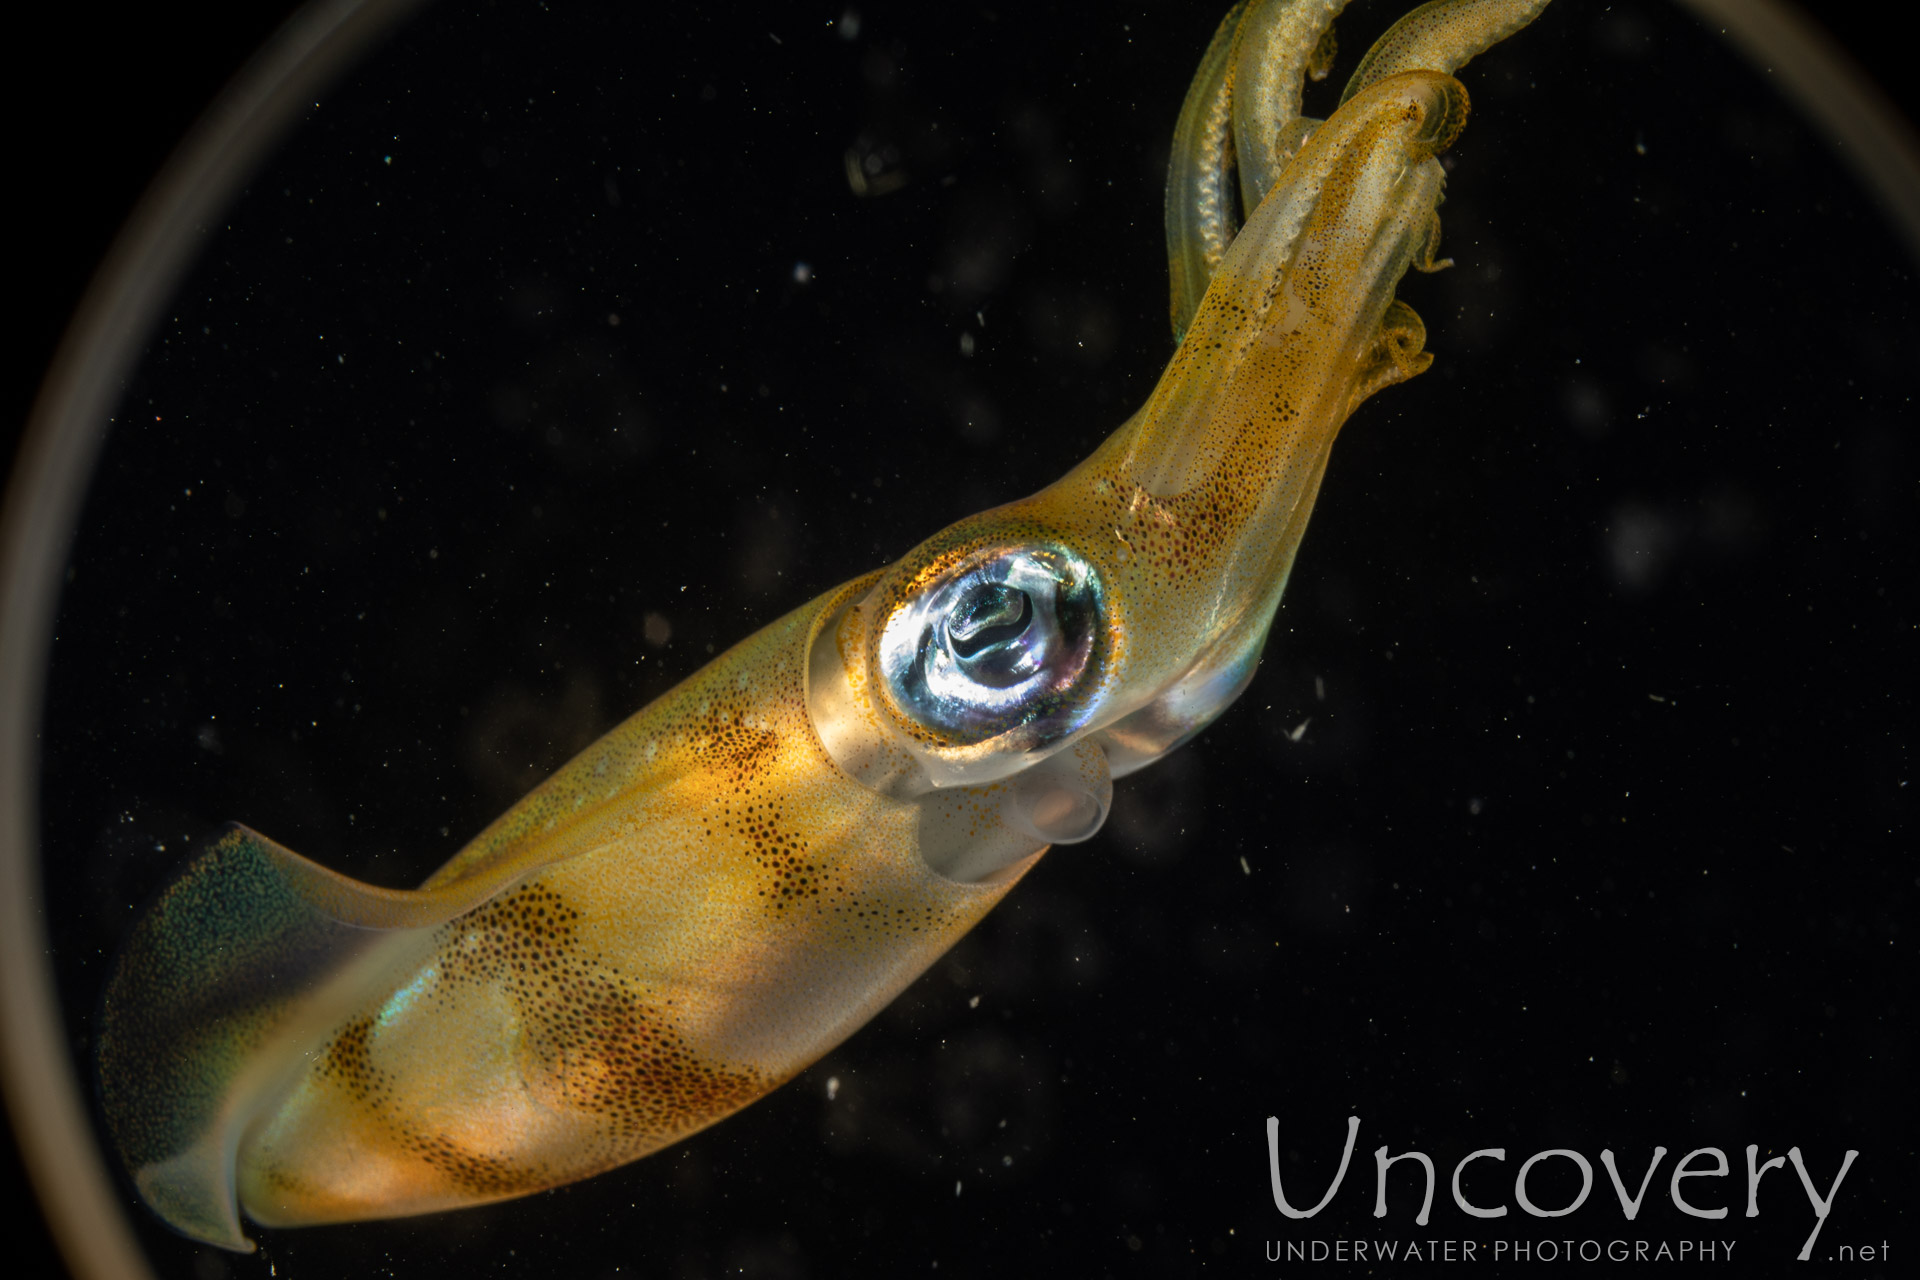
(717, 934)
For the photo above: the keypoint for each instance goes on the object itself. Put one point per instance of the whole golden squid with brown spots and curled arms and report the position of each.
(742, 874)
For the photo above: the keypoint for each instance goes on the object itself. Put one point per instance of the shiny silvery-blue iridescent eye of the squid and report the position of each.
(1003, 642)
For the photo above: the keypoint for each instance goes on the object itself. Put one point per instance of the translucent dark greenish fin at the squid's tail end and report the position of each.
(237, 974)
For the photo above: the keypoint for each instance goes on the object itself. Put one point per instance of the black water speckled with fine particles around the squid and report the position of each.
(1499, 893)
